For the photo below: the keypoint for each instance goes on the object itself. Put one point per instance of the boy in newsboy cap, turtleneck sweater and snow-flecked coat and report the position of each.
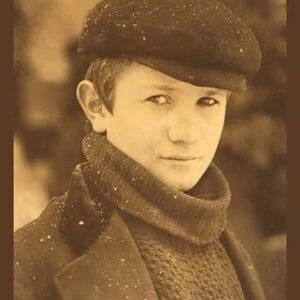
(145, 216)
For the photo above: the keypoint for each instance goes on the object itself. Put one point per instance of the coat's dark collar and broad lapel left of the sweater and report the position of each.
(112, 267)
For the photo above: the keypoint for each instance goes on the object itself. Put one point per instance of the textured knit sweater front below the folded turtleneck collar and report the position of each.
(182, 270)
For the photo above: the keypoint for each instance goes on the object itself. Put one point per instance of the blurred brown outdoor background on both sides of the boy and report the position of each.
(49, 125)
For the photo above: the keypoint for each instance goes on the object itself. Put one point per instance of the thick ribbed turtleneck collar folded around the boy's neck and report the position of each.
(198, 216)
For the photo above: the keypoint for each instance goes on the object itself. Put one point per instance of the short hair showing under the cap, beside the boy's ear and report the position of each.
(103, 72)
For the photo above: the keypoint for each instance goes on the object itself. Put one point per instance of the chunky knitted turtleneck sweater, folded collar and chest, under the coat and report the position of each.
(176, 233)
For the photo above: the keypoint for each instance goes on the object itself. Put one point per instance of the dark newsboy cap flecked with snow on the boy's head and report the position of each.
(198, 41)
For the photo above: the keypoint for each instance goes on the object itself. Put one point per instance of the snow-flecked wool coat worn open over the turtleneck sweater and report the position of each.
(57, 257)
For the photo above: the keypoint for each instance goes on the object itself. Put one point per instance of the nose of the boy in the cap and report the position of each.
(184, 130)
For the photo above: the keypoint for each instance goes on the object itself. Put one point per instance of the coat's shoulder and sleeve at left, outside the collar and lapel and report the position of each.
(40, 251)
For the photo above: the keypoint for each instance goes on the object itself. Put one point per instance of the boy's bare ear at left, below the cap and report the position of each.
(92, 105)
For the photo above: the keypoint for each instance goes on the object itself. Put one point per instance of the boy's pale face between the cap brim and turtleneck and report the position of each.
(170, 127)
